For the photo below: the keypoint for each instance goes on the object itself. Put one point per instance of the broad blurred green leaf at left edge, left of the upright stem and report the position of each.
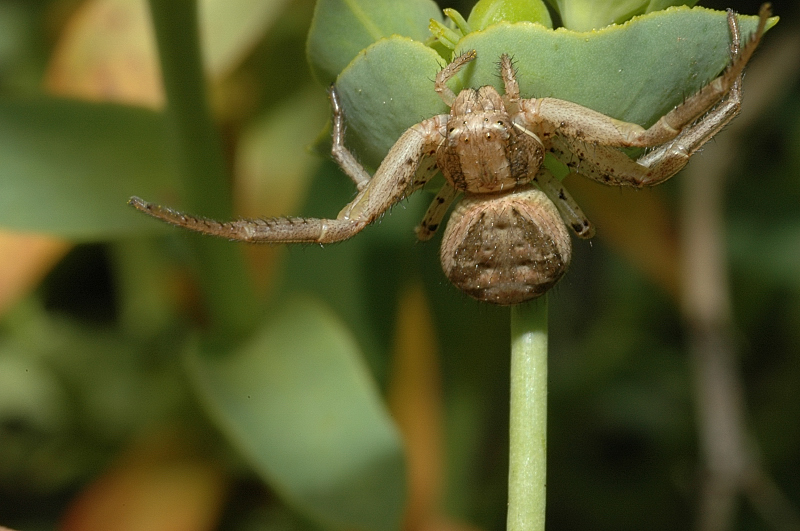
(69, 167)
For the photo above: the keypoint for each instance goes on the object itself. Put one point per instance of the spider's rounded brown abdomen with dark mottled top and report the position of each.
(507, 249)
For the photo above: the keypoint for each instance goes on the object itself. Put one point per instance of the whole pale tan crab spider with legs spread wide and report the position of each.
(505, 242)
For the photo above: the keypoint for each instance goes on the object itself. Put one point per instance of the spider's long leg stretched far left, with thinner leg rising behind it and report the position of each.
(394, 180)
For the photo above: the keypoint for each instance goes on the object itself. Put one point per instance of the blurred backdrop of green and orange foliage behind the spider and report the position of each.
(674, 337)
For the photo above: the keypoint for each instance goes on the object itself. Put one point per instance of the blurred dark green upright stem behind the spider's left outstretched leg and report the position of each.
(232, 307)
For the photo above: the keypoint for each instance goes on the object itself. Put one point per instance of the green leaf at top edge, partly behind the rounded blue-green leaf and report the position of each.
(342, 28)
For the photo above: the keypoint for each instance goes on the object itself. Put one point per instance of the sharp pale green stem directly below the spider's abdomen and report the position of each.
(527, 472)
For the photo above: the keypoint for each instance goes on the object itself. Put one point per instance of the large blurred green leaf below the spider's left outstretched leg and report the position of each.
(299, 404)
